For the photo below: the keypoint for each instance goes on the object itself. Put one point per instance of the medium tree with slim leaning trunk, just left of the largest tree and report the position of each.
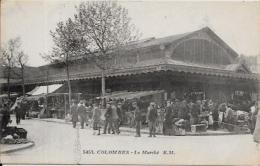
(66, 42)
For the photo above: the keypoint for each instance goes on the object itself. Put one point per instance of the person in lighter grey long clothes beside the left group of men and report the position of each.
(96, 118)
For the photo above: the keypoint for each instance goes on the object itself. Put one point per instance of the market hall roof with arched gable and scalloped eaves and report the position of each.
(200, 52)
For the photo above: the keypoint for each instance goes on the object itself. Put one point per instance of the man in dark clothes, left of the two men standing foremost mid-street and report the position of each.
(138, 119)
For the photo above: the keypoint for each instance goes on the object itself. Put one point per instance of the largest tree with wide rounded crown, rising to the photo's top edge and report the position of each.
(107, 27)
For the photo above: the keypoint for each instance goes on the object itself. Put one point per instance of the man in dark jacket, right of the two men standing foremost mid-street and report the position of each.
(151, 118)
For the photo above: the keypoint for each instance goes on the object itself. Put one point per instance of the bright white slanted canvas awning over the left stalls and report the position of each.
(40, 90)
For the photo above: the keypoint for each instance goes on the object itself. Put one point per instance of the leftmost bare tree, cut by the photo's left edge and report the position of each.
(8, 55)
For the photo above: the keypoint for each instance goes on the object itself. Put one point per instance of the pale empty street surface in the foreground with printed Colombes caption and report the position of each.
(60, 143)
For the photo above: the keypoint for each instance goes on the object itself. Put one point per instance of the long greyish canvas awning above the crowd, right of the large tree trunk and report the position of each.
(132, 95)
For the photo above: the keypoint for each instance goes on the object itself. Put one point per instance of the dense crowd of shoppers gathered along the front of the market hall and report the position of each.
(169, 118)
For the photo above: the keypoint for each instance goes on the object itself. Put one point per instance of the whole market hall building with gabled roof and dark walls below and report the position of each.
(197, 65)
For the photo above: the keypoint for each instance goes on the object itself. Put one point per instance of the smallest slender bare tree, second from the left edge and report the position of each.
(21, 60)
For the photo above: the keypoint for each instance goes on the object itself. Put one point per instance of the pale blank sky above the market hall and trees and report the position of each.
(237, 23)
